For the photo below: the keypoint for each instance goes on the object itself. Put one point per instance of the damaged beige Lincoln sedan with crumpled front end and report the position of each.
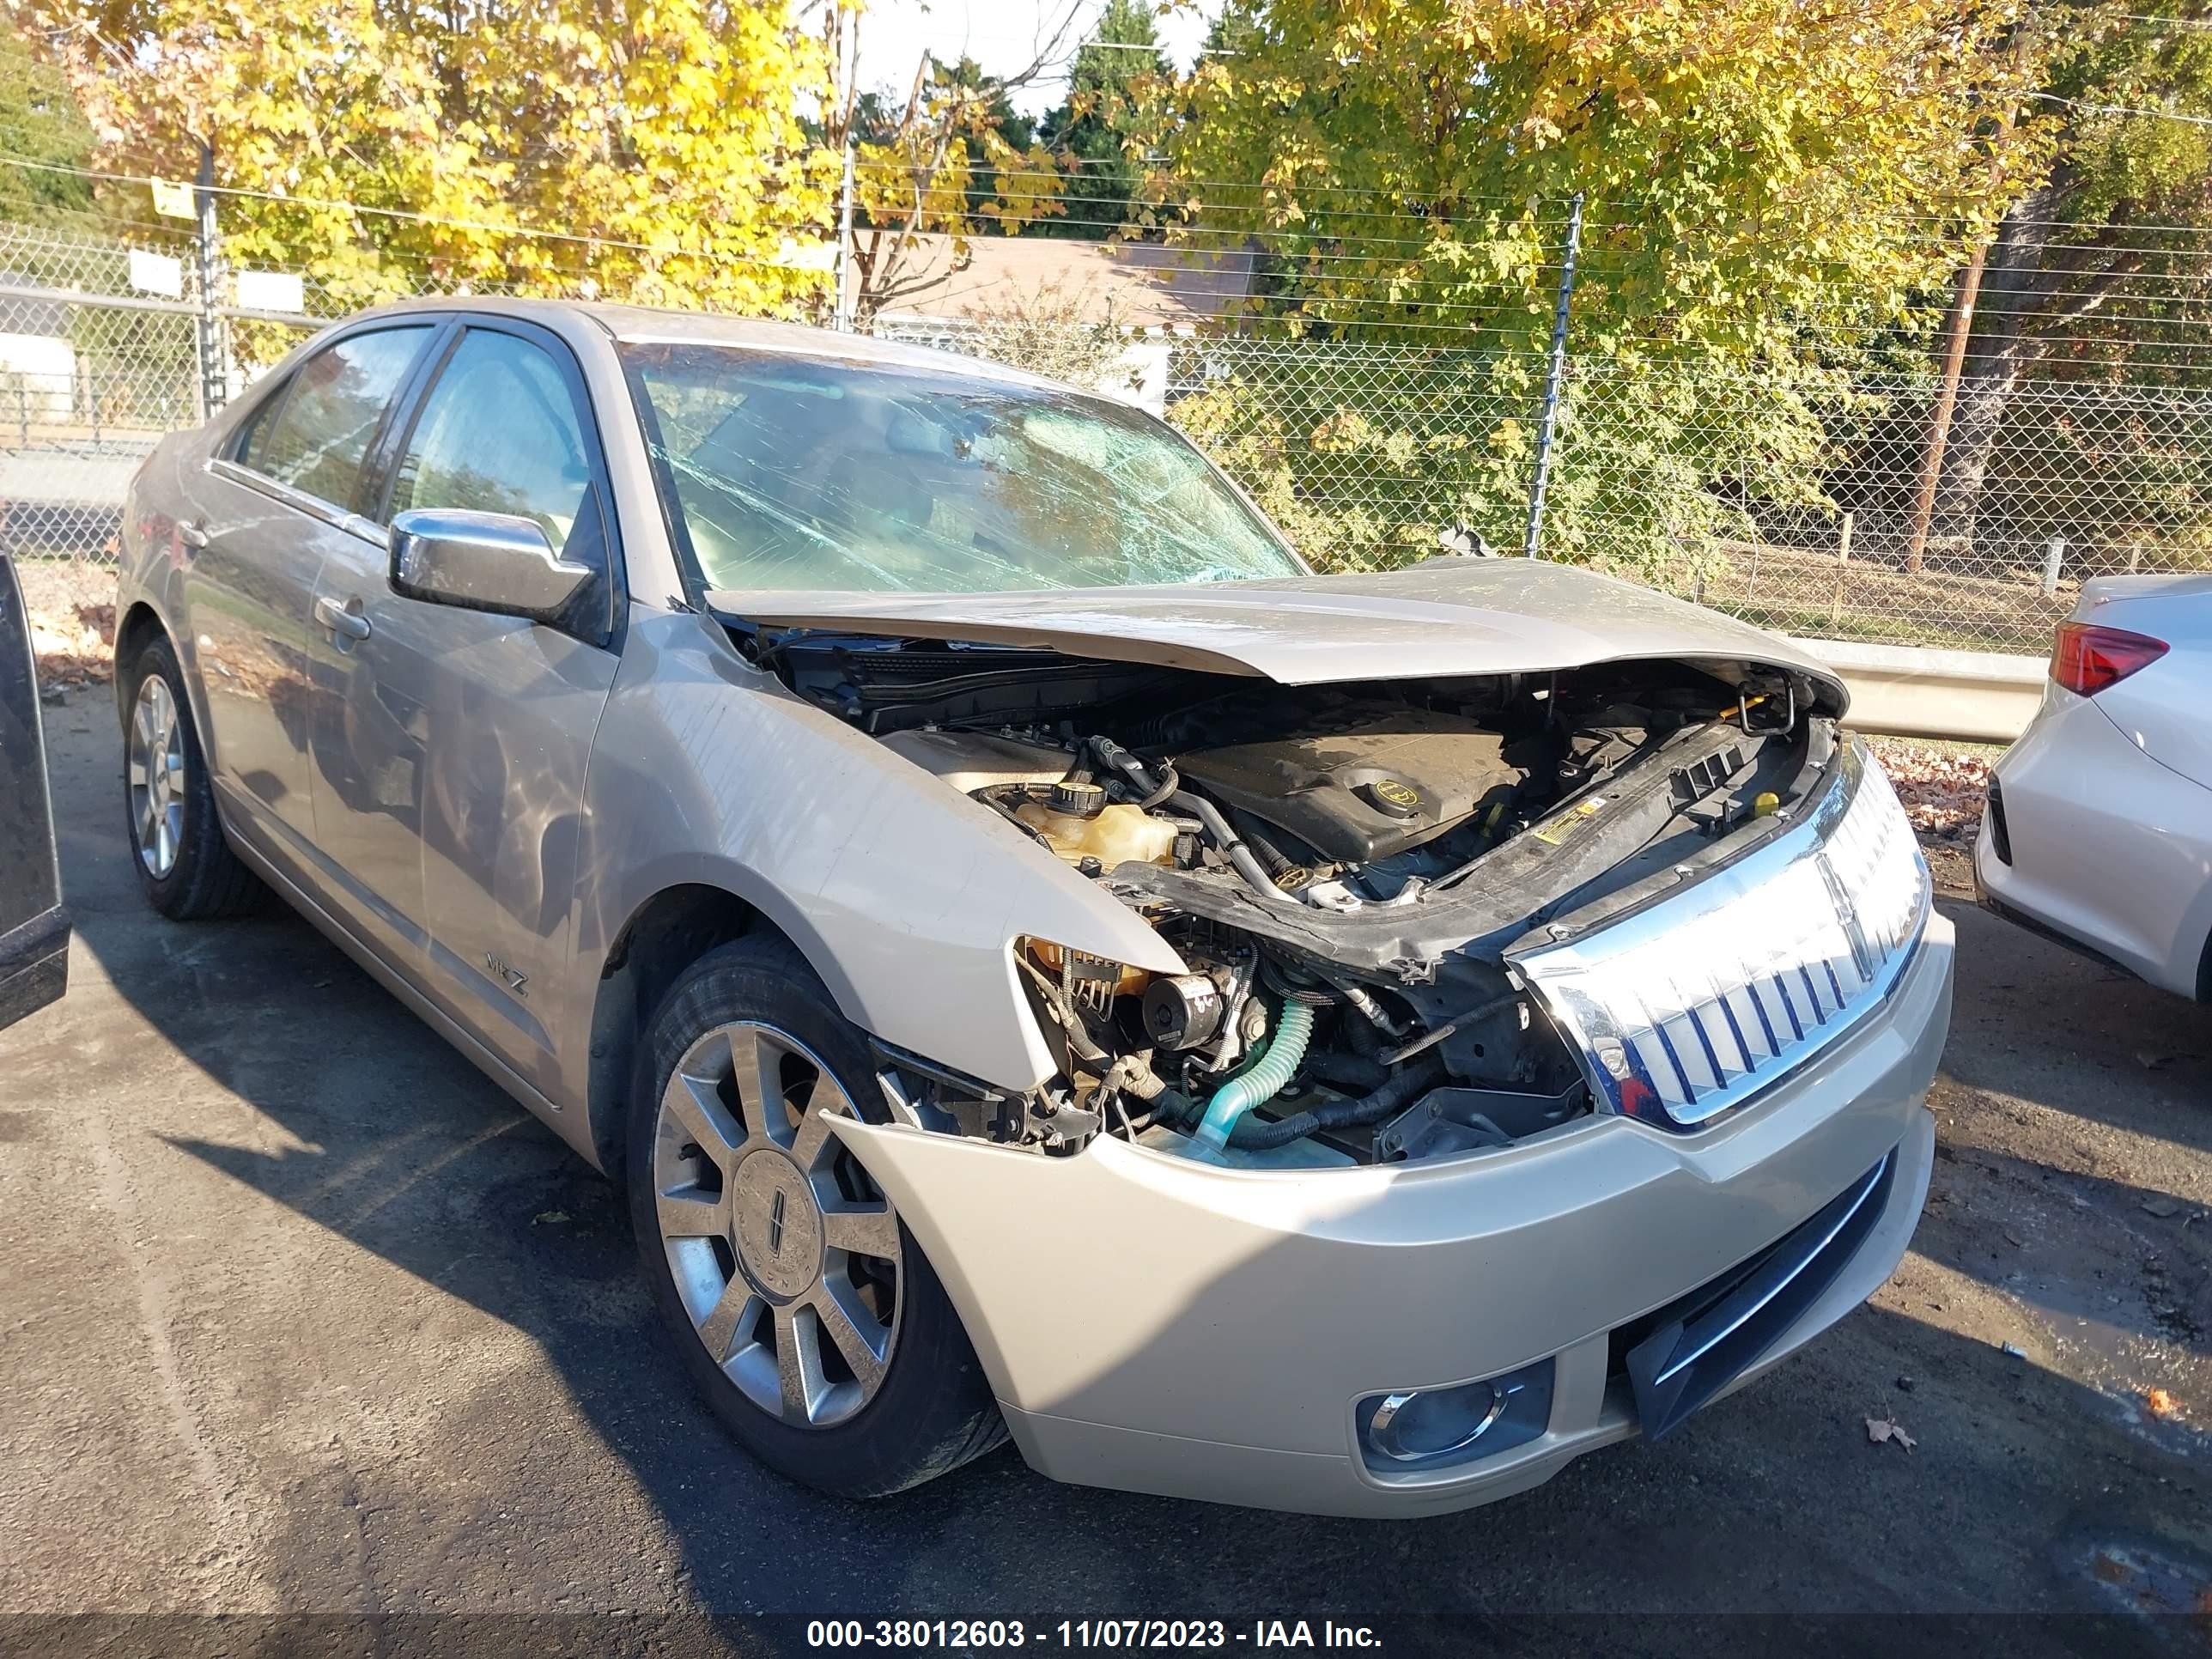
(1043, 961)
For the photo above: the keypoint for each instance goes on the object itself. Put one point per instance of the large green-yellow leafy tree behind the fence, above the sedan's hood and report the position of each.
(1762, 182)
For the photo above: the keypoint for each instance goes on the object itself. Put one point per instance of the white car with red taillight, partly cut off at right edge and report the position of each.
(2100, 817)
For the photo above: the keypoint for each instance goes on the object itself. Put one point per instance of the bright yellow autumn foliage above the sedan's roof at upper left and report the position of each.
(643, 149)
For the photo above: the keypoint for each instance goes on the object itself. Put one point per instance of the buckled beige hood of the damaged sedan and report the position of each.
(1434, 620)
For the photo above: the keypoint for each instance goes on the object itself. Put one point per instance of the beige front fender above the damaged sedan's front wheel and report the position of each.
(709, 771)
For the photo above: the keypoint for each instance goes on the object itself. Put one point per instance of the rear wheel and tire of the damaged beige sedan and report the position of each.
(185, 866)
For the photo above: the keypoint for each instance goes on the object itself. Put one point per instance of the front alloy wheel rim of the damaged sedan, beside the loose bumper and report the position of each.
(784, 1253)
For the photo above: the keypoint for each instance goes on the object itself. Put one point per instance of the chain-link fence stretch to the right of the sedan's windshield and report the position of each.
(1806, 503)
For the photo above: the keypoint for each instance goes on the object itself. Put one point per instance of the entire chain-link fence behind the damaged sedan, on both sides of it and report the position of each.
(1795, 497)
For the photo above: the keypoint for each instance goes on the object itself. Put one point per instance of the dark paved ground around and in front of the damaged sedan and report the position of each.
(300, 1315)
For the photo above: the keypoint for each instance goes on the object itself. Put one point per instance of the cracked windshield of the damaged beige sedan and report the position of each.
(804, 474)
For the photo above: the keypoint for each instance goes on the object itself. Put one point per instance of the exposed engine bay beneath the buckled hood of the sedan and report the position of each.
(1344, 868)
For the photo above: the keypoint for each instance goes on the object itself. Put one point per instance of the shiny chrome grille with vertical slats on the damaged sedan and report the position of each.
(1704, 999)
